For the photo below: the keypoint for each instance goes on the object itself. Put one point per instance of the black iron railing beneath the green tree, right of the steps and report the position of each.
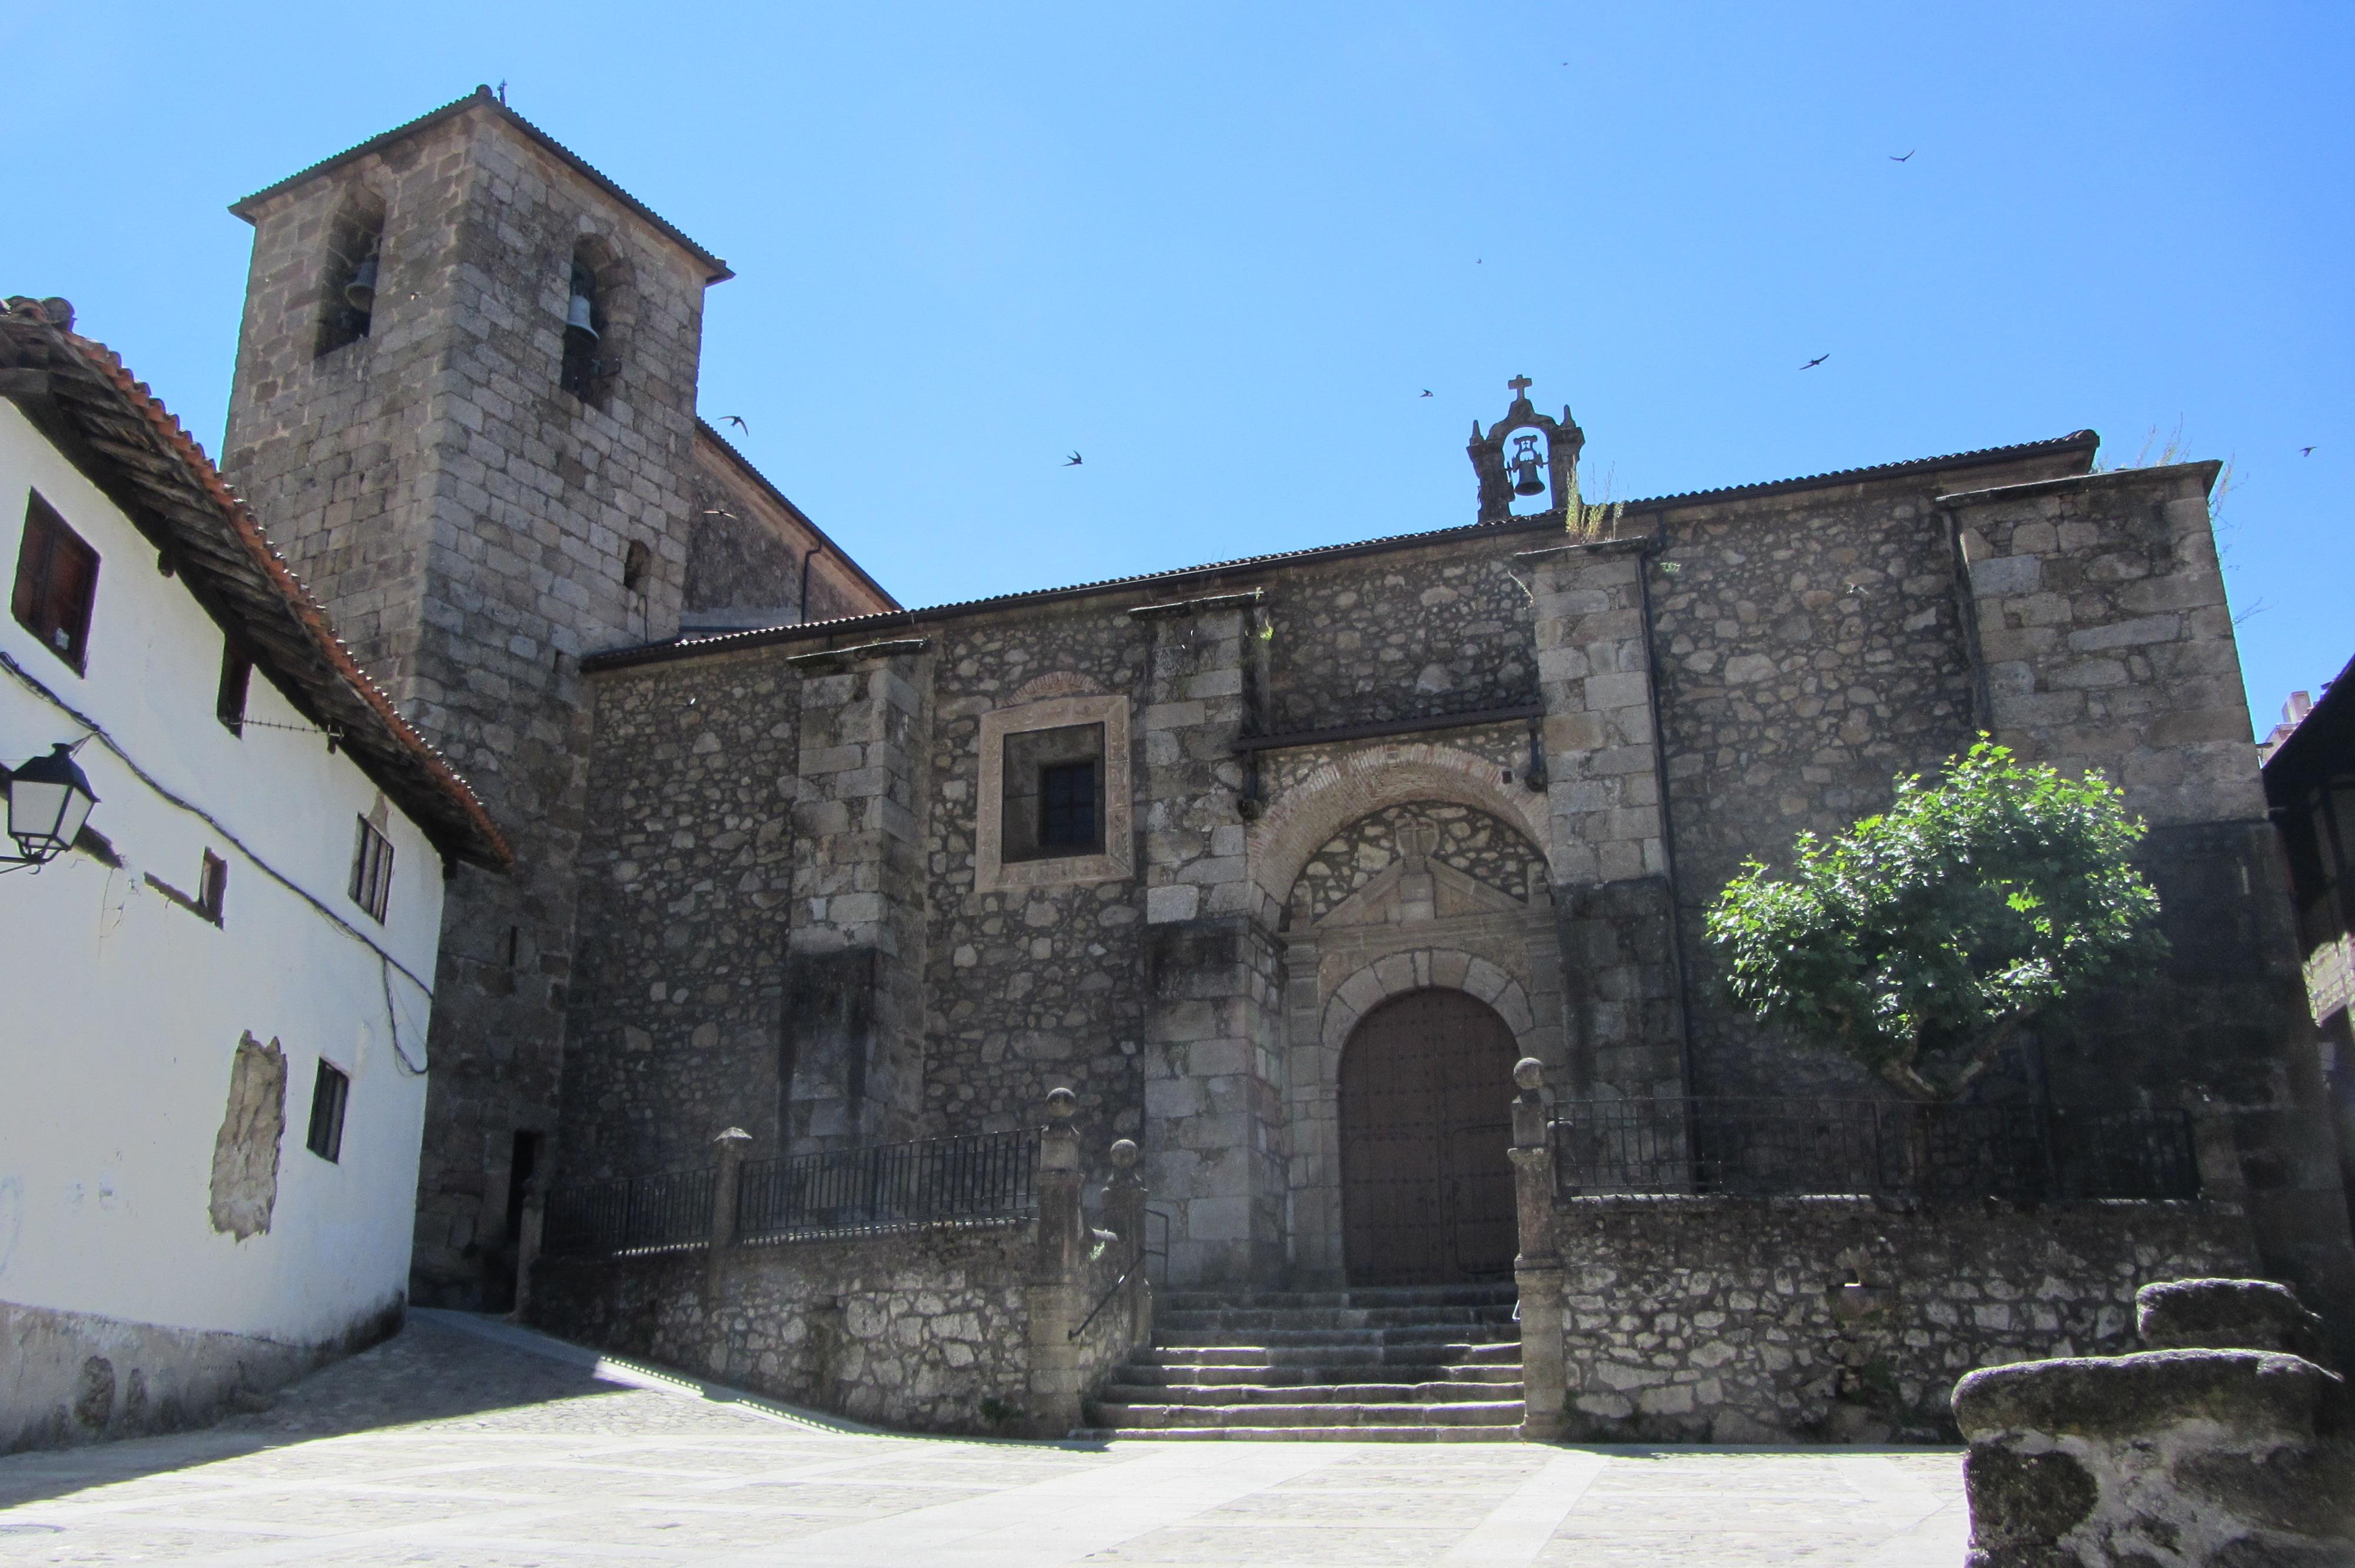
(1779, 1148)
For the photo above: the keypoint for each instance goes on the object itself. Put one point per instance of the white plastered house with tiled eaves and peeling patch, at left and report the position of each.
(213, 1039)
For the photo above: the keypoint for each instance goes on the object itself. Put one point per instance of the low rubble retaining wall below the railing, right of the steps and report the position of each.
(1845, 1320)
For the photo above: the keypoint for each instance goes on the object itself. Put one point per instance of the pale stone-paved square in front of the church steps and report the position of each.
(470, 1442)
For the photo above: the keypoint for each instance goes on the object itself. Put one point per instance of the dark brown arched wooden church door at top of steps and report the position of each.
(1424, 1134)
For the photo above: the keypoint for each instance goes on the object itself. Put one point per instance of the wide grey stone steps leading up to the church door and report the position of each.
(1433, 1364)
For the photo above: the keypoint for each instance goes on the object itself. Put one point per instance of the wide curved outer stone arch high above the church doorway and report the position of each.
(1400, 773)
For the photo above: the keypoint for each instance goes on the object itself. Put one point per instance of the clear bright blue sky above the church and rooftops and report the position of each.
(1223, 248)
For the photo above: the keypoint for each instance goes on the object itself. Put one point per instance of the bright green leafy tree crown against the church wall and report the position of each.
(1923, 941)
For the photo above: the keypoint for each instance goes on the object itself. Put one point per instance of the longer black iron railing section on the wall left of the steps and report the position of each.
(938, 1181)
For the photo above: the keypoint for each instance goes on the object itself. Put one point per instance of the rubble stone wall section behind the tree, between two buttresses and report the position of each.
(1810, 653)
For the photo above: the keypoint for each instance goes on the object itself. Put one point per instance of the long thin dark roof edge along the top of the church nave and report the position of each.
(731, 642)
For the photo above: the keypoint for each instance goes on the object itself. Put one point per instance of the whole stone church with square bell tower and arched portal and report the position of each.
(1280, 865)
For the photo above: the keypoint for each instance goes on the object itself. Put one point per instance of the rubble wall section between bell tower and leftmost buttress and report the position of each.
(686, 903)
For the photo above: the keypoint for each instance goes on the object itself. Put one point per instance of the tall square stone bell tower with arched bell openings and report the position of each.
(465, 406)
